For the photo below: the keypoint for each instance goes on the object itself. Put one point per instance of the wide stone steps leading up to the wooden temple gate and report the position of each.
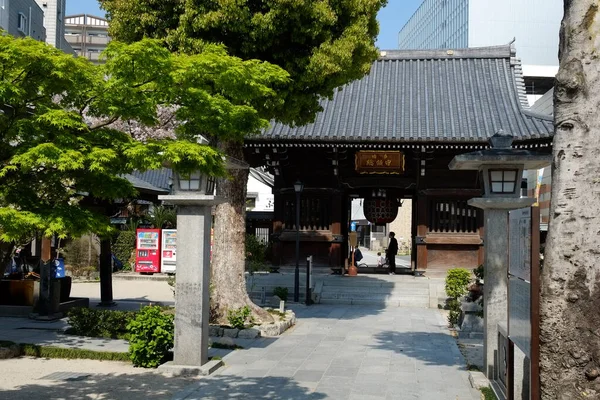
(379, 290)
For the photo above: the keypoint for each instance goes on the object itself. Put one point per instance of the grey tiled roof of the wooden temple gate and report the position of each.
(457, 96)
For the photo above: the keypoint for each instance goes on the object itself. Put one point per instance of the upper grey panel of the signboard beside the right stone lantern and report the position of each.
(519, 246)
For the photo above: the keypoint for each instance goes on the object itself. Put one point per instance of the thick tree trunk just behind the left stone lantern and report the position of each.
(228, 280)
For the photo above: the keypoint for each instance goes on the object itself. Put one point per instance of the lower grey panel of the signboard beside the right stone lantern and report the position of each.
(519, 317)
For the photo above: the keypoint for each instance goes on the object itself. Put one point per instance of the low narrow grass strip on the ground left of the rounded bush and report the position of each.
(34, 350)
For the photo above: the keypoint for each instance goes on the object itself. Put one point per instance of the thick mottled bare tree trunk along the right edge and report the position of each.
(570, 302)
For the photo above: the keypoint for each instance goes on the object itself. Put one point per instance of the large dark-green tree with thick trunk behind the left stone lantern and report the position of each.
(322, 45)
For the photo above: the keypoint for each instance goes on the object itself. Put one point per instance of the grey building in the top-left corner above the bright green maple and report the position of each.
(22, 18)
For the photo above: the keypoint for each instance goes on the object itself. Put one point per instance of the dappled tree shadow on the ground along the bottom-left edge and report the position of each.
(152, 385)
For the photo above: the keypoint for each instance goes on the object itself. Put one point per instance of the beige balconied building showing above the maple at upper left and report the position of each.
(87, 34)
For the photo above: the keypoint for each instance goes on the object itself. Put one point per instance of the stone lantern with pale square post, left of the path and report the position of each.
(194, 195)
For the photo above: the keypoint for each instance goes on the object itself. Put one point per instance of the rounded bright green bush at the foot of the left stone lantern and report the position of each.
(151, 336)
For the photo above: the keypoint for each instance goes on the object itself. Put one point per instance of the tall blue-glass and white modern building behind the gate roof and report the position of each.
(533, 24)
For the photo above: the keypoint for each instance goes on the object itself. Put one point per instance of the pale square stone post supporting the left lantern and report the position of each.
(192, 287)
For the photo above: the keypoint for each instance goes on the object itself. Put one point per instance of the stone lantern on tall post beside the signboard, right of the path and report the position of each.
(501, 168)
